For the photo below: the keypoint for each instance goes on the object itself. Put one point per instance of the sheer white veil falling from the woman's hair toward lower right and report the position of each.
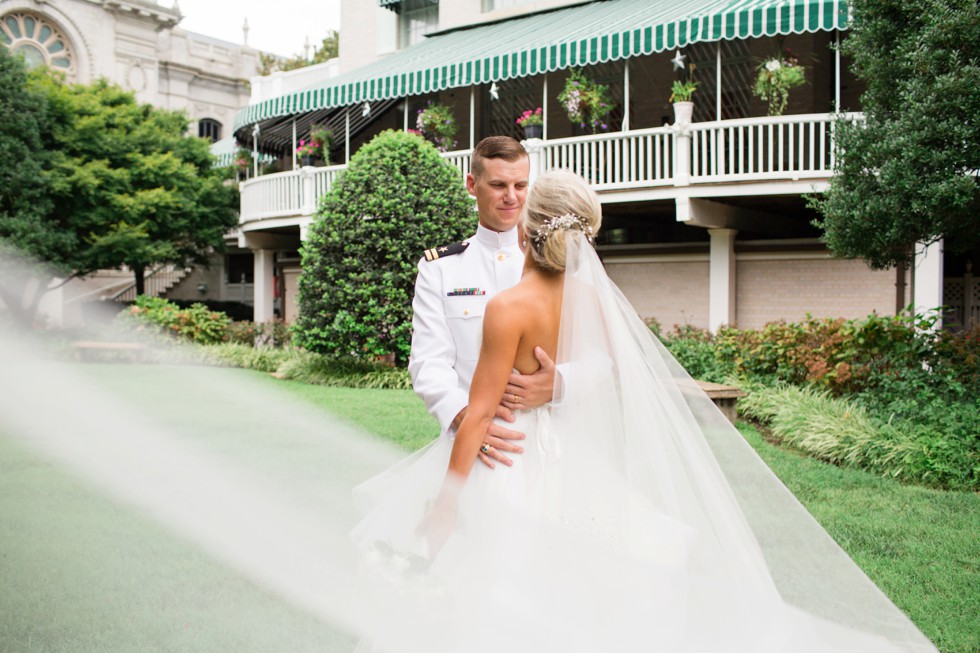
(627, 404)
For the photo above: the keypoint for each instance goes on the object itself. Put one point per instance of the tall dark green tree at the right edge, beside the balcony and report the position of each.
(909, 173)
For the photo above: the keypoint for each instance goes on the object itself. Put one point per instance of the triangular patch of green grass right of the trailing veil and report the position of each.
(919, 545)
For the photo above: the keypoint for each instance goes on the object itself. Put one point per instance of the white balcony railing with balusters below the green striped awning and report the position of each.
(781, 148)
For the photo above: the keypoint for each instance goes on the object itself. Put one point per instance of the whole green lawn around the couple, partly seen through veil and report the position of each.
(83, 572)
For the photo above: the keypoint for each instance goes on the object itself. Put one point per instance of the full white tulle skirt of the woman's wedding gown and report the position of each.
(525, 571)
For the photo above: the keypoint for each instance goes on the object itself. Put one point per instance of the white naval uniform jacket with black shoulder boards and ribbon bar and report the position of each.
(448, 322)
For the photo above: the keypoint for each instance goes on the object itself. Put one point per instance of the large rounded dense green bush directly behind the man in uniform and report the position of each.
(397, 198)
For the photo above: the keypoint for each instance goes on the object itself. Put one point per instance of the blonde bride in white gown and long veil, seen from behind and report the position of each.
(638, 519)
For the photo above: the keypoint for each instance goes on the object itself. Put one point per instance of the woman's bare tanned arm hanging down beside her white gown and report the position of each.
(501, 336)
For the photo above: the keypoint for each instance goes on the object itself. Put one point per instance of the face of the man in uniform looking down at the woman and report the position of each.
(500, 191)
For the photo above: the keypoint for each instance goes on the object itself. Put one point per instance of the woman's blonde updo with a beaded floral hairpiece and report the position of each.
(559, 203)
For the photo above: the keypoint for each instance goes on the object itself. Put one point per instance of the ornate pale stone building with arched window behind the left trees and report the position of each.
(139, 45)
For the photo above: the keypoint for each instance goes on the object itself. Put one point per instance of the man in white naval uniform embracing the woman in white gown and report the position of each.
(452, 289)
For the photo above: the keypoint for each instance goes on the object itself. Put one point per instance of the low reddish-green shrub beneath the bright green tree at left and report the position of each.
(196, 323)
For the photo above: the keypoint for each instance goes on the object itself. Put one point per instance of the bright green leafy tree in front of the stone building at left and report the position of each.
(127, 184)
